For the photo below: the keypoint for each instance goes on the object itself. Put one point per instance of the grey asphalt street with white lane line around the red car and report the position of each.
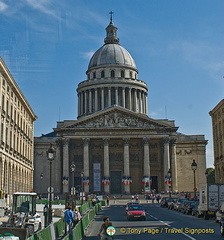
(161, 223)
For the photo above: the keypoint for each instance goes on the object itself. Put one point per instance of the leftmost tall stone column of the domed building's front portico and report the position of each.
(65, 165)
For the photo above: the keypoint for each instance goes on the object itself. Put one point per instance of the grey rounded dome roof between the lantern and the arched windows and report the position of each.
(112, 54)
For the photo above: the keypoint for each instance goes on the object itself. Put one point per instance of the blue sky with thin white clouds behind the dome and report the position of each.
(177, 45)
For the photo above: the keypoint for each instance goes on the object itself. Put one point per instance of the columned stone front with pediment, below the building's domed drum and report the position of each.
(150, 148)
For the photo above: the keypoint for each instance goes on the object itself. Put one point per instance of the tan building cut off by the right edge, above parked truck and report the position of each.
(217, 115)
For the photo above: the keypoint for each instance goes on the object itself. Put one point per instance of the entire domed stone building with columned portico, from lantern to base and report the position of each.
(115, 146)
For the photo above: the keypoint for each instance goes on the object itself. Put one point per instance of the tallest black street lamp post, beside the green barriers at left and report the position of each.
(50, 157)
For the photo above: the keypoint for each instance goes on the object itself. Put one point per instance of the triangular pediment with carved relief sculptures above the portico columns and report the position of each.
(118, 117)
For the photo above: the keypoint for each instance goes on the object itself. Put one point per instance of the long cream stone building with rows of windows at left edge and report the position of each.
(16, 136)
